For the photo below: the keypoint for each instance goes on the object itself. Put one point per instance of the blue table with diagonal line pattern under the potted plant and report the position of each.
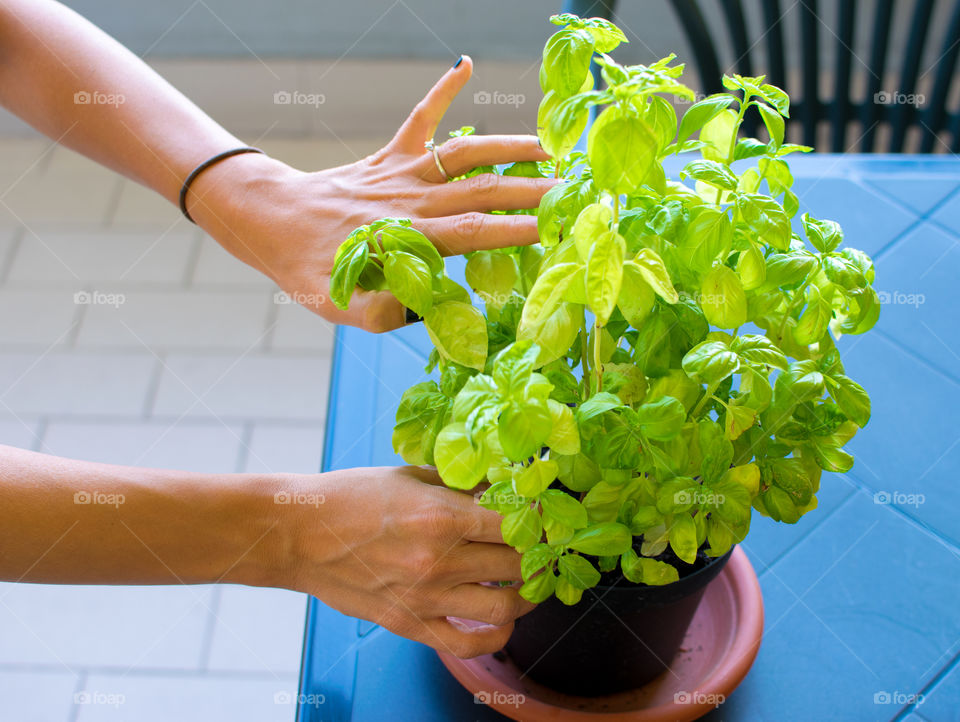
(861, 596)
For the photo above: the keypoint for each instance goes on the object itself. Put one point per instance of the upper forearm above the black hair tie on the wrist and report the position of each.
(150, 133)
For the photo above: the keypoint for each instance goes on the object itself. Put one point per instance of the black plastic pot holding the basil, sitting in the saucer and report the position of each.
(617, 638)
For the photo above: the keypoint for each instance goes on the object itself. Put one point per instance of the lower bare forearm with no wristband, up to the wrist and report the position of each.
(66, 521)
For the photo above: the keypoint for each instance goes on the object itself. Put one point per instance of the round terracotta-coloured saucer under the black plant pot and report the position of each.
(716, 655)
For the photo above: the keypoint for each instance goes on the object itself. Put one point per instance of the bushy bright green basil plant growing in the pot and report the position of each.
(663, 362)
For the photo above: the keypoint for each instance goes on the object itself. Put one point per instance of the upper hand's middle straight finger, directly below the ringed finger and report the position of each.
(486, 192)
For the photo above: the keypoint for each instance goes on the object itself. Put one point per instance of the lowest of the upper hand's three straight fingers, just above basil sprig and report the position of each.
(458, 234)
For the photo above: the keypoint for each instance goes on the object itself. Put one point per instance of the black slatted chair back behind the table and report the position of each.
(839, 111)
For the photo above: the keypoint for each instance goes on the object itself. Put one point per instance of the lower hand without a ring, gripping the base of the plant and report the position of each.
(394, 546)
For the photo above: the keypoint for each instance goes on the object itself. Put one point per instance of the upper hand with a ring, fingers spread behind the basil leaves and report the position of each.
(288, 223)
